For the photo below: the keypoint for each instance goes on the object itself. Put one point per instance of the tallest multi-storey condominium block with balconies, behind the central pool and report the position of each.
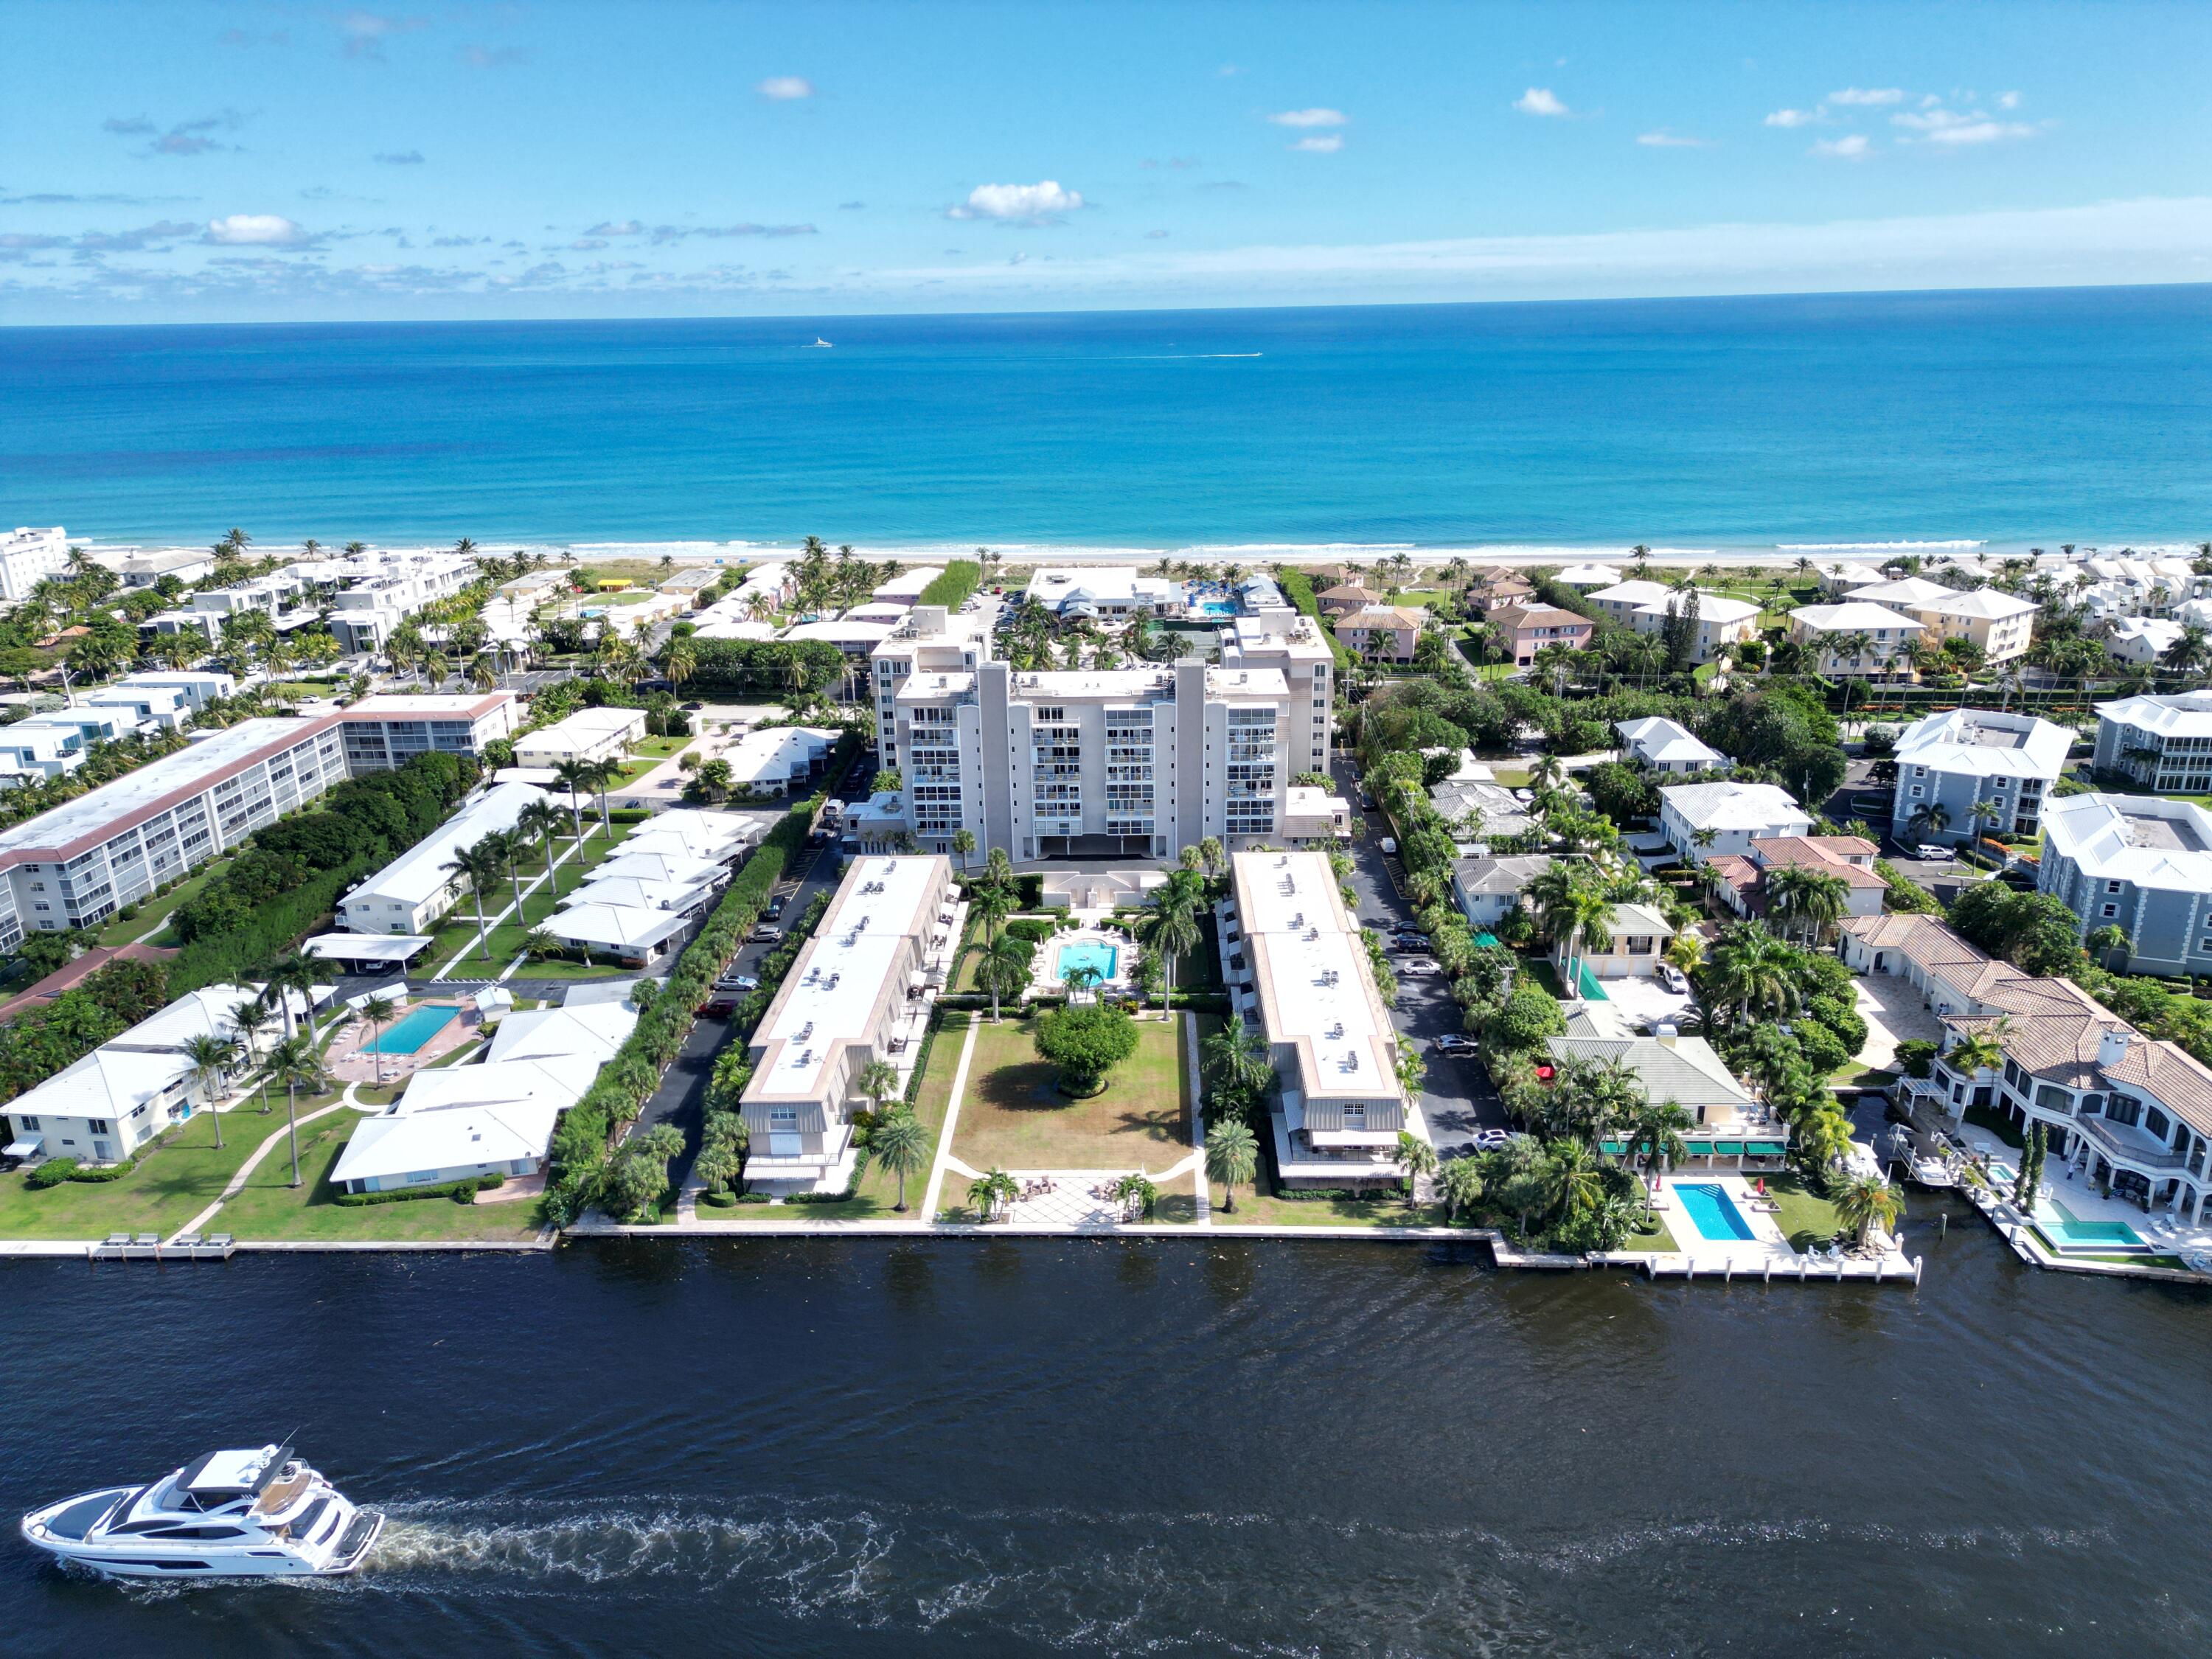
(1129, 762)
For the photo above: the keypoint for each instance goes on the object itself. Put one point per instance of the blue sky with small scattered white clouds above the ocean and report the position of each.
(262, 160)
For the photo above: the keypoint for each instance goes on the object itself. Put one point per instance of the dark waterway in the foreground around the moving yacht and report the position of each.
(1196, 1448)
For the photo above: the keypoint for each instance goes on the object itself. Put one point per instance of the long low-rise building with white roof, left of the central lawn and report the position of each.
(839, 1008)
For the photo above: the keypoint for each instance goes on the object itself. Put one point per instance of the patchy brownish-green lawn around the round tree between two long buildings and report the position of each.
(1016, 1118)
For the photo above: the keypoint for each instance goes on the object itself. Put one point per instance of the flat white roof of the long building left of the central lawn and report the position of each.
(842, 974)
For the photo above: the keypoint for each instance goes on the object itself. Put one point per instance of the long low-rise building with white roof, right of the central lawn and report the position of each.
(1331, 1039)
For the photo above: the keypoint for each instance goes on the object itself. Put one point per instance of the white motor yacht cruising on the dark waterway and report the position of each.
(227, 1516)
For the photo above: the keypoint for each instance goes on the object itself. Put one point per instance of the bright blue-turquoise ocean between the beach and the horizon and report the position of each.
(1729, 424)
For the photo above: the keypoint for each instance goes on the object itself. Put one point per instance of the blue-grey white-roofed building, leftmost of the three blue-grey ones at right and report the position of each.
(1970, 758)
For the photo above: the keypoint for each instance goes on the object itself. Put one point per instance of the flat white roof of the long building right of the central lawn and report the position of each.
(1311, 972)
